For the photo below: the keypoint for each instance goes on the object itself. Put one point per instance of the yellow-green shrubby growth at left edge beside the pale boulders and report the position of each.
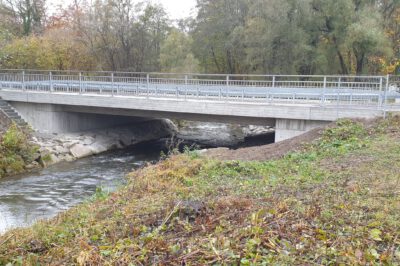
(15, 151)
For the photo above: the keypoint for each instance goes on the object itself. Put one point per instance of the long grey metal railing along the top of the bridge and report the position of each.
(366, 91)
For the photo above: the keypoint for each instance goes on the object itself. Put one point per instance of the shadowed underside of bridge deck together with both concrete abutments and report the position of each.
(49, 118)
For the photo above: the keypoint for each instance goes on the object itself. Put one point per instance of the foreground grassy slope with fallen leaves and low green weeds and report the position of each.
(335, 201)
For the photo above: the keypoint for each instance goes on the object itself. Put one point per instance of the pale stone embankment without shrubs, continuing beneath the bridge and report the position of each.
(55, 148)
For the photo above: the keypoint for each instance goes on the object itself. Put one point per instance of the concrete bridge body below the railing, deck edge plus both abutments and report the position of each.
(63, 112)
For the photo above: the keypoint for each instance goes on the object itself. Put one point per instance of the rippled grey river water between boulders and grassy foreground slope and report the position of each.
(29, 197)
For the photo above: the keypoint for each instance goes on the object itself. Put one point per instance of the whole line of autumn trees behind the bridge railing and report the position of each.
(226, 36)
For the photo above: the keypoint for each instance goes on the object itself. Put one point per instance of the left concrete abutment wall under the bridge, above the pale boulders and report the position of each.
(48, 118)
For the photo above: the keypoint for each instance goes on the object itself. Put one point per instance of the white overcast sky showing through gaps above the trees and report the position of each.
(177, 9)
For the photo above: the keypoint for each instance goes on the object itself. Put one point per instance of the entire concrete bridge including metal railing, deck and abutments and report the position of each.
(57, 102)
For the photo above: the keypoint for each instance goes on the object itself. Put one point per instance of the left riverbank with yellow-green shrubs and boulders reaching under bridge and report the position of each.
(23, 150)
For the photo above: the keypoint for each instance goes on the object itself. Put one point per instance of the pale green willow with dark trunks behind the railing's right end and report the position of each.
(351, 32)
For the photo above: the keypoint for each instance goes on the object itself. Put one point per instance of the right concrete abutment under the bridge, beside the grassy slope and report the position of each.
(289, 128)
